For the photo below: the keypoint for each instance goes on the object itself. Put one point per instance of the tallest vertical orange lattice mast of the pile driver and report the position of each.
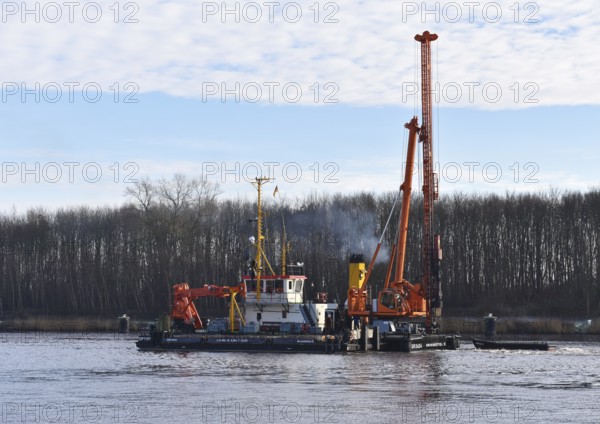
(430, 281)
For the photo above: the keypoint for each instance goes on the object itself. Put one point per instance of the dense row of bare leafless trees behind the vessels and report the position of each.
(531, 253)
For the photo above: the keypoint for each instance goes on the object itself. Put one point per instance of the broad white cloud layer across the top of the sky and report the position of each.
(368, 57)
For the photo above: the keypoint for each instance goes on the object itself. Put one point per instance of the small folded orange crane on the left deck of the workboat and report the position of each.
(184, 312)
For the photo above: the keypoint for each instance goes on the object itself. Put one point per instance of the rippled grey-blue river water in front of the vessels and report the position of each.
(70, 378)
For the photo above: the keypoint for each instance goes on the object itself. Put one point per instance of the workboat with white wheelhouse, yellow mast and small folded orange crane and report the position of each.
(267, 313)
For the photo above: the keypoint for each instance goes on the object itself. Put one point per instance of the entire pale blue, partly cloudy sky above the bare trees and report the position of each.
(98, 95)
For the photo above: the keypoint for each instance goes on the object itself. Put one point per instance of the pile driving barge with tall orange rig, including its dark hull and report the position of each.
(418, 305)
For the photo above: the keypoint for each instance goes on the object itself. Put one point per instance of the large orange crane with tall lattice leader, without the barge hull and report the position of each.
(400, 298)
